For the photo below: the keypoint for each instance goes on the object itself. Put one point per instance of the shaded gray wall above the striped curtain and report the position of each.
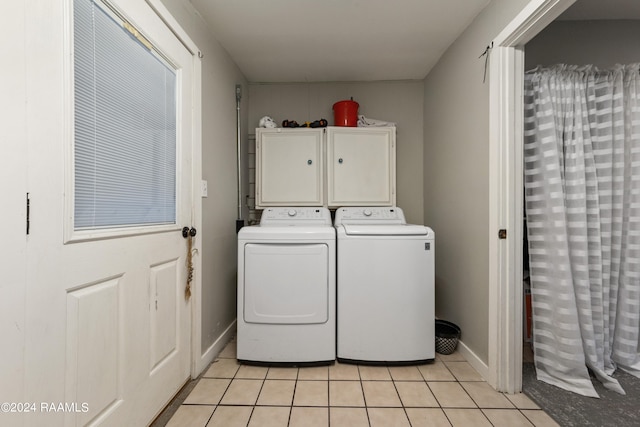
(601, 43)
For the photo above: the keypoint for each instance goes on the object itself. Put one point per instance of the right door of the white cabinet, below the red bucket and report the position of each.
(361, 166)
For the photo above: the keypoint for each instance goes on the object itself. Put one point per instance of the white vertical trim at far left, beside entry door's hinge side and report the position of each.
(13, 187)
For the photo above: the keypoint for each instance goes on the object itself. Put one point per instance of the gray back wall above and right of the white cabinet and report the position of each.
(399, 101)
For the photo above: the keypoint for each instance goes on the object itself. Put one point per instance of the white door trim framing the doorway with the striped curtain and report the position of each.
(506, 194)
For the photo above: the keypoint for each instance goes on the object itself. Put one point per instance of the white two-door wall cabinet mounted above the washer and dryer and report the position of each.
(332, 167)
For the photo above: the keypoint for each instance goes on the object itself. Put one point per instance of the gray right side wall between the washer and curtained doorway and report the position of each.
(456, 175)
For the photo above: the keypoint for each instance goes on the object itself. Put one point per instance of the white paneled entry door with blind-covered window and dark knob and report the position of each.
(107, 320)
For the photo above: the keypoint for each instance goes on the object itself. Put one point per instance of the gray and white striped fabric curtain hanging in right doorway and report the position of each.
(582, 203)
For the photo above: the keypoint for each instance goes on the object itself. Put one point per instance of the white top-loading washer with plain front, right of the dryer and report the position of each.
(385, 287)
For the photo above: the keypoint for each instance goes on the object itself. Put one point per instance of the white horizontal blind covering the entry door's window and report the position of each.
(125, 125)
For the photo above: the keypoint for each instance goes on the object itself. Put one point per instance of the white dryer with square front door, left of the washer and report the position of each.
(286, 287)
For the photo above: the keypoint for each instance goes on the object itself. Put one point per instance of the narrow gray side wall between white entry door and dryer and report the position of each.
(218, 234)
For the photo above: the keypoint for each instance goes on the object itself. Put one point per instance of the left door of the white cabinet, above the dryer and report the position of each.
(289, 167)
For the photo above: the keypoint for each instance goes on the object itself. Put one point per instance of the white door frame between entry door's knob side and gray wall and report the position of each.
(196, 169)
